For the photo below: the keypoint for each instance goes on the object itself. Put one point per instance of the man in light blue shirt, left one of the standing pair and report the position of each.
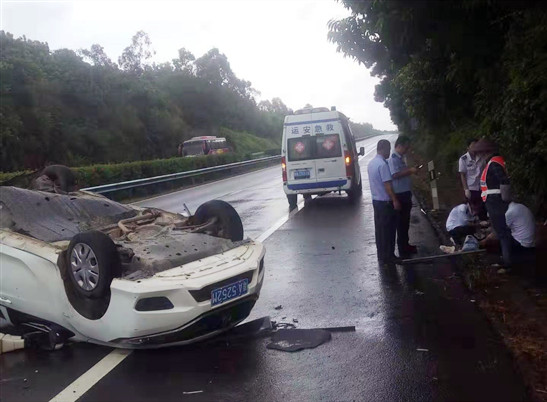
(385, 204)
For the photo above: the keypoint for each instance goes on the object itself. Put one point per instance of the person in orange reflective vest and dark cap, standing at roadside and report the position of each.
(496, 194)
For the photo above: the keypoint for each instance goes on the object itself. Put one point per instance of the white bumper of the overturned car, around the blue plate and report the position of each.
(191, 317)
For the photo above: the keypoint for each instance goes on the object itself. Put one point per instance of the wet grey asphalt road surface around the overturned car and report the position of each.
(418, 334)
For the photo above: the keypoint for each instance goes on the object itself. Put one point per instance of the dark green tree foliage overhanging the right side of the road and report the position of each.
(456, 69)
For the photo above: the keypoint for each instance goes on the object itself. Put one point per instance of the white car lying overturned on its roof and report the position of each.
(82, 267)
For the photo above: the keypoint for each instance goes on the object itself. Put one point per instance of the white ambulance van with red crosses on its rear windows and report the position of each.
(319, 155)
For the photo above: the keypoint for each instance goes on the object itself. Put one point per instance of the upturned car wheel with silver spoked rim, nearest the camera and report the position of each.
(92, 263)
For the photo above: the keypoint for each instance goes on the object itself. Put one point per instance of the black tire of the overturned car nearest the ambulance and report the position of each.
(229, 224)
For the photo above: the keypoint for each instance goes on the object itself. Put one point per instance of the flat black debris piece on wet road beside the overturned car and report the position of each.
(293, 340)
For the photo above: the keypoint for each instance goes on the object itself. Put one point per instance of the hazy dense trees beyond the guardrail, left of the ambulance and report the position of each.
(78, 108)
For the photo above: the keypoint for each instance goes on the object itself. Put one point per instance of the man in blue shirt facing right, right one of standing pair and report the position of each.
(402, 186)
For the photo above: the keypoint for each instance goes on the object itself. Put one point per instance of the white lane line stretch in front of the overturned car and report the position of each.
(92, 376)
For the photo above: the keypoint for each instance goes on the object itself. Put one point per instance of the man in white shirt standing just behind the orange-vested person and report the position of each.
(470, 167)
